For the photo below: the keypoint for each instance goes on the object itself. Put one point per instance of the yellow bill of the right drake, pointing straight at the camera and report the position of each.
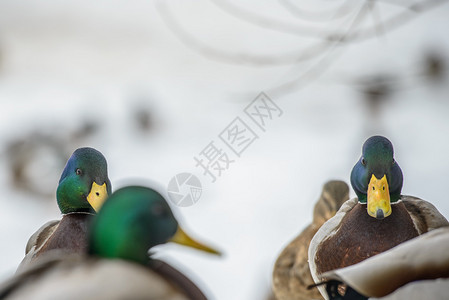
(378, 198)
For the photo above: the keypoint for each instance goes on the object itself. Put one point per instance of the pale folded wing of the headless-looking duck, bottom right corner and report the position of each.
(425, 257)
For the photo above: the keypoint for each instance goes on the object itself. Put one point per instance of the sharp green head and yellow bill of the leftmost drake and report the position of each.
(84, 183)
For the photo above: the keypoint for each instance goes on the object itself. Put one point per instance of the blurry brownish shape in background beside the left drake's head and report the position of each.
(36, 159)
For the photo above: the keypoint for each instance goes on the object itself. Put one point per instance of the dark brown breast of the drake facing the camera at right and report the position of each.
(361, 236)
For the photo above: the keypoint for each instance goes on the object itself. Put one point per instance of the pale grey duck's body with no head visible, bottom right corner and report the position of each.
(416, 269)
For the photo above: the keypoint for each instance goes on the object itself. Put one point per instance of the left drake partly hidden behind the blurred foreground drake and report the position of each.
(83, 187)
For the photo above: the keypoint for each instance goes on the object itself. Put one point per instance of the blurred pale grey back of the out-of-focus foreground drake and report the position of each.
(61, 276)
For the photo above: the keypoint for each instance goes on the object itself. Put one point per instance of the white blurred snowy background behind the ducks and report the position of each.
(191, 67)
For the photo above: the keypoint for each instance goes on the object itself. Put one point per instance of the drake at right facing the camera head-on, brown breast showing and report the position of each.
(377, 220)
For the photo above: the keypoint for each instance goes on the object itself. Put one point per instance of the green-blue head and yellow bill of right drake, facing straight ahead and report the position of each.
(377, 178)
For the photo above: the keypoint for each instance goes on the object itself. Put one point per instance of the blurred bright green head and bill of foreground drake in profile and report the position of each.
(133, 220)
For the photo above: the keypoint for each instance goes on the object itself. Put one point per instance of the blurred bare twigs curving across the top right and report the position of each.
(328, 44)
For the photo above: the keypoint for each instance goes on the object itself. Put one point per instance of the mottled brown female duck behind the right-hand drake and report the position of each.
(291, 275)
